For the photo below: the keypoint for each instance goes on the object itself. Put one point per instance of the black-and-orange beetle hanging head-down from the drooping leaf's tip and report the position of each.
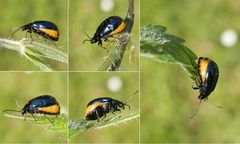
(208, 74)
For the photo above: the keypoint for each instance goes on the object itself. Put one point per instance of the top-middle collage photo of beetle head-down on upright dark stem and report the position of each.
(104, 35)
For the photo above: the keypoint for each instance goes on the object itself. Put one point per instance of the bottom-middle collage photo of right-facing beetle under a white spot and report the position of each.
(104, 107)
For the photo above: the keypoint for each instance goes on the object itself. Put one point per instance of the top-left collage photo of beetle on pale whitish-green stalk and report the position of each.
(34, 35)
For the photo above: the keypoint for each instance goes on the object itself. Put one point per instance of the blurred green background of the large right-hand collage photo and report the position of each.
(167, 99)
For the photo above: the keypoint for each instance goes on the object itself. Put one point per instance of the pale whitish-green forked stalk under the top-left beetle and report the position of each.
(33, 50)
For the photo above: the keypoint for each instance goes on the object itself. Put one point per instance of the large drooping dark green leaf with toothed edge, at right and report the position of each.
(165, 48)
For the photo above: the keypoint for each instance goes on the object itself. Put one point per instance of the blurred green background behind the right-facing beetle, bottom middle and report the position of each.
(85, 87)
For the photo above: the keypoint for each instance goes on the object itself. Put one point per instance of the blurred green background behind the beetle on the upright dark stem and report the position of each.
(86, 16)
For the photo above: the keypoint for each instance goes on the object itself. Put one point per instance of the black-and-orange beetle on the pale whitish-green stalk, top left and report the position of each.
(46, 29)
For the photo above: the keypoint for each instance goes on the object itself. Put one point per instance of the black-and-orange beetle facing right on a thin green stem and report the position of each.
(99, 107)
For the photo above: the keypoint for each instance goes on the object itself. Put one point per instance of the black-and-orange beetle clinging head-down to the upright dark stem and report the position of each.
(109, 27)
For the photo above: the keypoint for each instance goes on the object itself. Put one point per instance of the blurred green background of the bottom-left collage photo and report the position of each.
(23, 87)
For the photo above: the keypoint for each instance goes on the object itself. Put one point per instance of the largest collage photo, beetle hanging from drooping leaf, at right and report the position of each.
(190, 82)
